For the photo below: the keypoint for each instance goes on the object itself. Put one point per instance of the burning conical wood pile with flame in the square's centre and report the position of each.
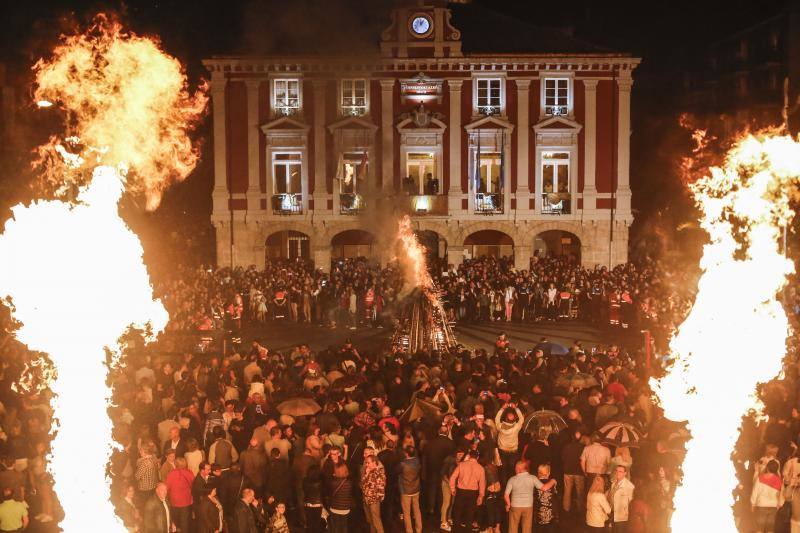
(422, 323)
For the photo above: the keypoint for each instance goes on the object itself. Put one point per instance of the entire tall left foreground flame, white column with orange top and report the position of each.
(75, 272)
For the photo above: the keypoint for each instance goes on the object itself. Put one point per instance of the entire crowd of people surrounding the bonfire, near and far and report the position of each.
(517, 438)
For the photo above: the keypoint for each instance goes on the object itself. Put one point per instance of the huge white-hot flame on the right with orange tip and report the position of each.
(728, 344)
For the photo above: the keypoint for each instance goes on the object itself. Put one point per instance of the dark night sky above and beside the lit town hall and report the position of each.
(667, 35)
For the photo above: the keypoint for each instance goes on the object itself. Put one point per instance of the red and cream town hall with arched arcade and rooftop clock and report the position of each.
(497, 137)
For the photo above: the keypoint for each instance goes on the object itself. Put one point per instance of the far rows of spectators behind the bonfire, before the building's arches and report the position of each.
(358, 292)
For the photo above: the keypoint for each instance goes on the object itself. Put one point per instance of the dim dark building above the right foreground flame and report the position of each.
(750, 78)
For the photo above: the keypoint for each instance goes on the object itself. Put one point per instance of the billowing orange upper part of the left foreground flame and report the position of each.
(128, 105)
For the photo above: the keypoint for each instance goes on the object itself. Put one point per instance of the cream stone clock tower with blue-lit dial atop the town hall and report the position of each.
(421, 29)
